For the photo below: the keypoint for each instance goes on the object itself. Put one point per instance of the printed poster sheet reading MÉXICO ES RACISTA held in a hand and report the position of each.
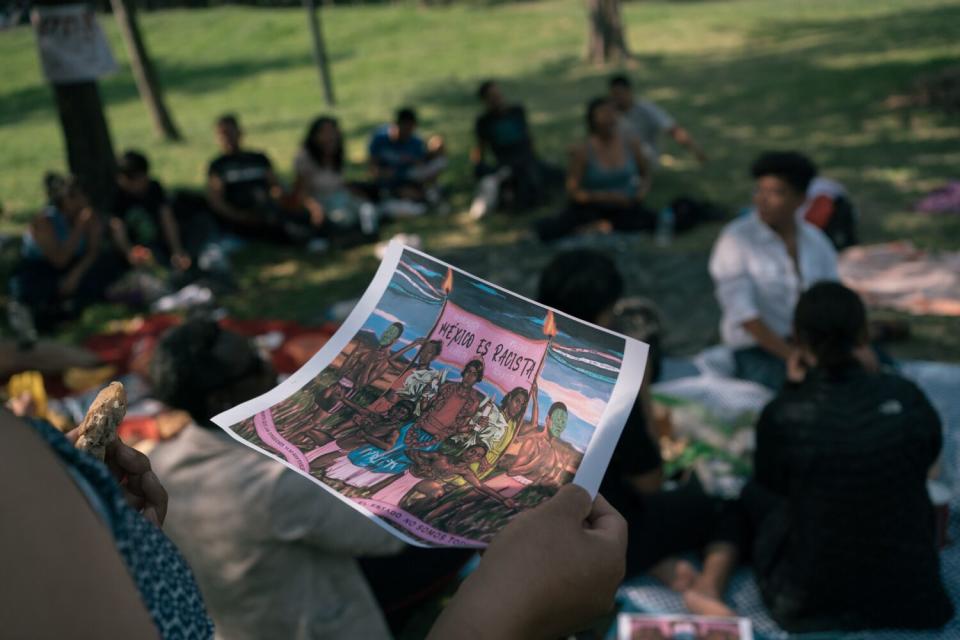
(445, 405)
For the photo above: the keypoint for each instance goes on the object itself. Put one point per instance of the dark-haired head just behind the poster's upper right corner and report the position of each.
(583, 283)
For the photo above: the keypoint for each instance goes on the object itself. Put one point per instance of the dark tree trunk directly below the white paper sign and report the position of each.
(89, 148)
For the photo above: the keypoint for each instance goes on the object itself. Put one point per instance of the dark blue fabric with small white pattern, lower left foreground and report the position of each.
(163, 578)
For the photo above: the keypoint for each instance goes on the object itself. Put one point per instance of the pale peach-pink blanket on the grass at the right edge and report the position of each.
(897, 275)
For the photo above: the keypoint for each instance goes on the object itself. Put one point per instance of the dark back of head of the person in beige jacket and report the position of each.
(203, 369)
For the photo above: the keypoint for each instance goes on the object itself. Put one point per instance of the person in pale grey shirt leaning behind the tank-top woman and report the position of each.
(645, 121)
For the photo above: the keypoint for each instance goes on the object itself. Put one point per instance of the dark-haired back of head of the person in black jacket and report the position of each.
(830, 321)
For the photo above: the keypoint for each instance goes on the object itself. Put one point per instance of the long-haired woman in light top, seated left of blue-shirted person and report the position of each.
(319, 182)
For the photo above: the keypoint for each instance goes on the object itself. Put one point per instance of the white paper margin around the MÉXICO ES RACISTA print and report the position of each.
(599, 449)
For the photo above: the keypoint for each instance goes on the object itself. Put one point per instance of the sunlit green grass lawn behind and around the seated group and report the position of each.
(743, 76)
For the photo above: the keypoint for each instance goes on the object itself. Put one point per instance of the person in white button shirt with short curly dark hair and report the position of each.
(763, 261)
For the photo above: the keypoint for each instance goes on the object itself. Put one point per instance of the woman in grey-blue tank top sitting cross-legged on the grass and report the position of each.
(607, 181)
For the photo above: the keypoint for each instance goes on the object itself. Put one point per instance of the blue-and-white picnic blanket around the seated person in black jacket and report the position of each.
(724, 402)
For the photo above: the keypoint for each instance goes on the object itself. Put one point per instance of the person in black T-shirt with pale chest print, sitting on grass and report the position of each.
(244, 193)
